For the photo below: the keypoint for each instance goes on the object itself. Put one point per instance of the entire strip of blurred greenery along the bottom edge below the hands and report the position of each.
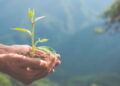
(85, 80)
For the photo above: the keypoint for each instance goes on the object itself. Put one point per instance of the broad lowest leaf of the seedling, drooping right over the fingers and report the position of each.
(48, 50)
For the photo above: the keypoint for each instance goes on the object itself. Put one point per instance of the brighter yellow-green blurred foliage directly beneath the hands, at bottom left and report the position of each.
(7, 81)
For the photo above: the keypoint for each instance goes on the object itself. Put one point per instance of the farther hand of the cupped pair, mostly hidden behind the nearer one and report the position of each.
(22, 49)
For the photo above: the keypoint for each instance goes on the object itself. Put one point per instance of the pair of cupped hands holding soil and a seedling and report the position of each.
(22, 68)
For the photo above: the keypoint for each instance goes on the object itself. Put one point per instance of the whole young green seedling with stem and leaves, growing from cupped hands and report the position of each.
(31, 33)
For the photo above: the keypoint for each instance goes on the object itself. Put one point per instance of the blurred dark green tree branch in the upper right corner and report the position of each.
(112, 16)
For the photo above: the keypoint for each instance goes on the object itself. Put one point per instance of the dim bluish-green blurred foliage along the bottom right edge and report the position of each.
(93, 80)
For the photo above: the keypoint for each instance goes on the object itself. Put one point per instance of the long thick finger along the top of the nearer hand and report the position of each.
(24, 61)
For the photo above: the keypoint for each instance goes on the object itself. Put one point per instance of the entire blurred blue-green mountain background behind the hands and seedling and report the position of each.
(84, 32)
